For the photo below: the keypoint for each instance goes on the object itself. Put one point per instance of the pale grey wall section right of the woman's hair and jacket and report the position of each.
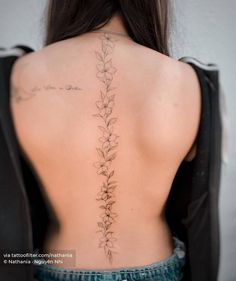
(206, 29)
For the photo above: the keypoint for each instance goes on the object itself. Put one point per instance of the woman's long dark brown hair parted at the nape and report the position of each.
(146, 21)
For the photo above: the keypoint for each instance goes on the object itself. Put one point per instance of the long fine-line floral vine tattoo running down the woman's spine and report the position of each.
(108, 144)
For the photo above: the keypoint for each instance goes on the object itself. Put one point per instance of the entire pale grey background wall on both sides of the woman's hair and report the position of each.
(204, 29)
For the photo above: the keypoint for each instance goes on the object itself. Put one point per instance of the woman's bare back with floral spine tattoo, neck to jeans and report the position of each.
(105, 123)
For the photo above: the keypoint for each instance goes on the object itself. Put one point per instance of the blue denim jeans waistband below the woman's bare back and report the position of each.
(169, 269)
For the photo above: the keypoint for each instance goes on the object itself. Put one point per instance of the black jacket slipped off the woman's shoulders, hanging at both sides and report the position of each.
(192, 206)
